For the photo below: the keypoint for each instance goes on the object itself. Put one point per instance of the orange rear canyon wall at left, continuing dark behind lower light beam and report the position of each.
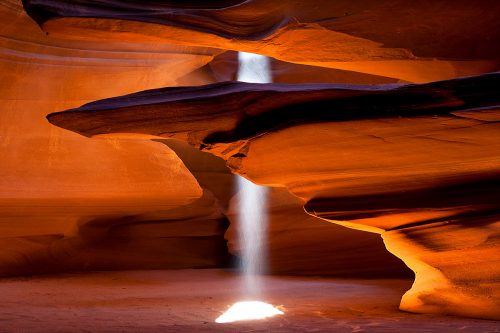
(69, 203)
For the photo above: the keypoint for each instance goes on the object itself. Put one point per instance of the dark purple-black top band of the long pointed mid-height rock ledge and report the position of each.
(232, 111)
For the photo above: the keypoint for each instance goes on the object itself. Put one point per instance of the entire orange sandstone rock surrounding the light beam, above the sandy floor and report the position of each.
(417, 164)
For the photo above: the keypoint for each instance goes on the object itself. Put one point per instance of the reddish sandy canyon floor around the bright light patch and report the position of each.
(190, 300)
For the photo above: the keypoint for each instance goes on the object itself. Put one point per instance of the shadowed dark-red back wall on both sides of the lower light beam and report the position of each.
(297, 243)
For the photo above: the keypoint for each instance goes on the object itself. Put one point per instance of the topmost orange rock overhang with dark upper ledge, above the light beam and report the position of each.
(407, 40)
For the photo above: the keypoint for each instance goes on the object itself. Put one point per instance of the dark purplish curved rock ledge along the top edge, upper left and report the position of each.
(241, 19)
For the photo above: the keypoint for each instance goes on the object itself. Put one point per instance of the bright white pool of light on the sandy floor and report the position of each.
(248, 310)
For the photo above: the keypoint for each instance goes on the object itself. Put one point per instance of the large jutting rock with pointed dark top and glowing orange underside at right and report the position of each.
(418, 164)
